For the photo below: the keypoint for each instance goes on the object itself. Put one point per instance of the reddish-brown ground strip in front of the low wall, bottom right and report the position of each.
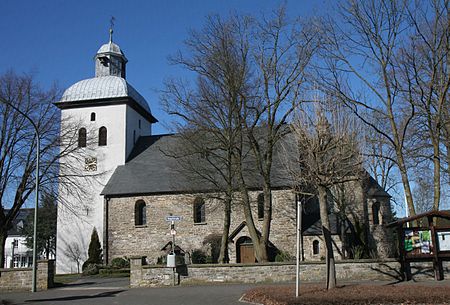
(312, 294)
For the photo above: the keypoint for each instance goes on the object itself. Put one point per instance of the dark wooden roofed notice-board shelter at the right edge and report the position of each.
(422, 238)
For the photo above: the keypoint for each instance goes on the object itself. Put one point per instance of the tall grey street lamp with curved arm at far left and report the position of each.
(38, 145)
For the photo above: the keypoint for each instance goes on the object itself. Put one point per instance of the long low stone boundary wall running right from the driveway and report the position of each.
(363, 270)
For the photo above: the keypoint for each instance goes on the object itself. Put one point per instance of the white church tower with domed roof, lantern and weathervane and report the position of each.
(101, 120)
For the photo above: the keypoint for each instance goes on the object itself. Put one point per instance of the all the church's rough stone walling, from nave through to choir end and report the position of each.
(124, 238)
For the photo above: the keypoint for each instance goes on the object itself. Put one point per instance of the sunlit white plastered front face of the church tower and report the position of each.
(80, 205)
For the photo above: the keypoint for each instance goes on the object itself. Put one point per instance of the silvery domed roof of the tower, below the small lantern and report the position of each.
(105, 87)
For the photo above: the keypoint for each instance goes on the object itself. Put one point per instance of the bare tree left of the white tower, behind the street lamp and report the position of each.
(18, 146)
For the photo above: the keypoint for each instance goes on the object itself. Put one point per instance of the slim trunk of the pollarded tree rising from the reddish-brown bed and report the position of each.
(331, 271)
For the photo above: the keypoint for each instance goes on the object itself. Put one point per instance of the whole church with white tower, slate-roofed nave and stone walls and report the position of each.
(124, 184)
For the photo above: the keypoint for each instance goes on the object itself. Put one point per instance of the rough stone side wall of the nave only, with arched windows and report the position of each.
(127, 239)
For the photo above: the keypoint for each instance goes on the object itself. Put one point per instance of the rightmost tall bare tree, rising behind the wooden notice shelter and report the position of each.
(424, 62)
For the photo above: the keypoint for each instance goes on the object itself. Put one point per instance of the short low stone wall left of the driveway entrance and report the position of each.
(21, 278)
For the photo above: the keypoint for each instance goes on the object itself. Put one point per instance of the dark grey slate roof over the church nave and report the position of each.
(152, 168)
